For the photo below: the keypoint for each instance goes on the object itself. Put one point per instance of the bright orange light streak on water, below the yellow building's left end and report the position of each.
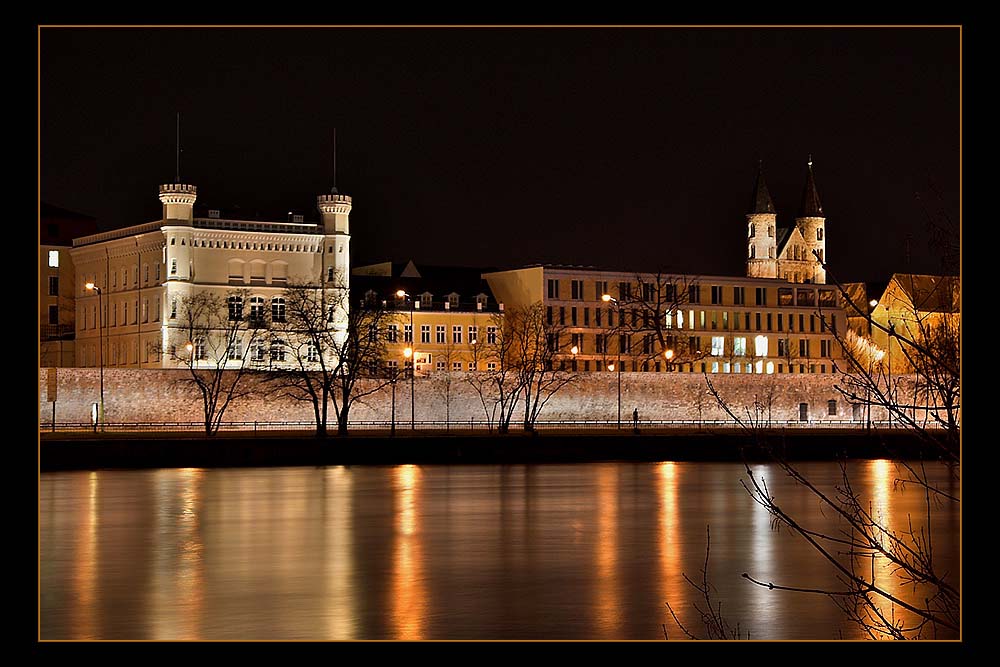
(408, 596)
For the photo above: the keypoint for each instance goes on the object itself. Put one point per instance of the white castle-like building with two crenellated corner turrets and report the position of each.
(143, 272)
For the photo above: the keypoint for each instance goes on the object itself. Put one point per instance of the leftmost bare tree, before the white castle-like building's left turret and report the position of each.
(212, 337)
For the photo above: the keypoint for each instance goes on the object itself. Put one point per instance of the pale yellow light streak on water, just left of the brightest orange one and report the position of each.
(340, 608)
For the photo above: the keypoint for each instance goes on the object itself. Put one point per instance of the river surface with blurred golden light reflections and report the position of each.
(586, 551)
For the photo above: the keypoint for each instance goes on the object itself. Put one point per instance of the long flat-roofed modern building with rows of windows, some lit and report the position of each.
(720, 324)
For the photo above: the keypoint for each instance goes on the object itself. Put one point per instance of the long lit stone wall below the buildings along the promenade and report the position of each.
(152, 396)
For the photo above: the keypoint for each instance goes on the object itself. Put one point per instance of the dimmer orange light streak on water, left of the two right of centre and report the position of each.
(606, 604)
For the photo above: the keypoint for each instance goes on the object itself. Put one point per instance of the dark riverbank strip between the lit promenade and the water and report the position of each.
(151, 450)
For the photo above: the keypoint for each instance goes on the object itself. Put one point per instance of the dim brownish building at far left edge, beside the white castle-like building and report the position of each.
(56, 284)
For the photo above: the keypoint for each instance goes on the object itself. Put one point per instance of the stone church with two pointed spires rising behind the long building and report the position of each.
(786, 253)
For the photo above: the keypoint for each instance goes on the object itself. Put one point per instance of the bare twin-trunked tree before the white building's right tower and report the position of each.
(330, 363)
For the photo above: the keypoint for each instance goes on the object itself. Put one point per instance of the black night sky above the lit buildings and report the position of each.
(619, 148)
